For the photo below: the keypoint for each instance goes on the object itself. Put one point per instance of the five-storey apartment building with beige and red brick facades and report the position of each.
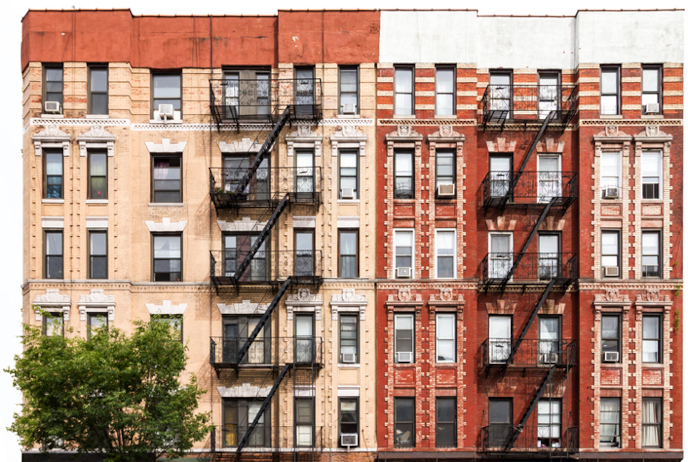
(377, 240)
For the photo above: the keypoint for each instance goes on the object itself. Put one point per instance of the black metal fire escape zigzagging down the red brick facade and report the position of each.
(538, 194)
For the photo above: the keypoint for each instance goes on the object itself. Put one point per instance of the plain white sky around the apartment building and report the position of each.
(11, 123)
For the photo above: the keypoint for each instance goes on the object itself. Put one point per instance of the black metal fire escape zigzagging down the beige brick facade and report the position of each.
(271, 191)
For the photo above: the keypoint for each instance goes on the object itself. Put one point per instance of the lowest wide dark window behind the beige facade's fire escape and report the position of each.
(238, 415)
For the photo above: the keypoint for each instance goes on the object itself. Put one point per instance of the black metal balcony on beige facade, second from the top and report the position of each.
(268, 186)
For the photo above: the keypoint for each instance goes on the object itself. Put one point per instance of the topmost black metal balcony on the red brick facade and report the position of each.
(528, 103)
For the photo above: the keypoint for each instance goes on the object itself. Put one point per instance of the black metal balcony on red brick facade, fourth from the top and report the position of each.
(531, 353)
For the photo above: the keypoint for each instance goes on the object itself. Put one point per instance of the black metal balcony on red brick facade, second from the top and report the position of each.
(533, 188)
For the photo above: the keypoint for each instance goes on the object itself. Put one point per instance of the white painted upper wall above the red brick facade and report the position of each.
(531, 42)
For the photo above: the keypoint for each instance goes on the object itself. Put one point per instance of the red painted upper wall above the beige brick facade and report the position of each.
(173, 42)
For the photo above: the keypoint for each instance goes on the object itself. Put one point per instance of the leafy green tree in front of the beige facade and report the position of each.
(113, 394)
